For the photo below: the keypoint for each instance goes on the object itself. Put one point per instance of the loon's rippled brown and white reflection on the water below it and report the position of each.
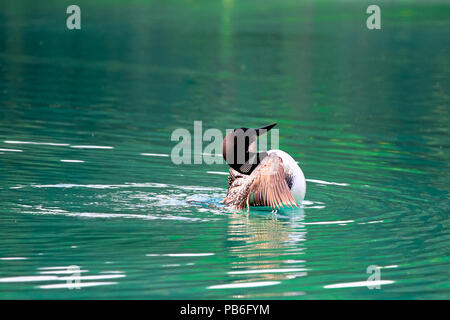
(265, 250)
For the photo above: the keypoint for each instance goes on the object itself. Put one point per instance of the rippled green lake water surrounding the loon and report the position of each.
(366, 114)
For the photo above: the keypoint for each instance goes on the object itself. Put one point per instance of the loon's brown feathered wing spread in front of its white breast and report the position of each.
(269, 187)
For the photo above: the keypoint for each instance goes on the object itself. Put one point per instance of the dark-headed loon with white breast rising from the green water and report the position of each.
(269, 178)
